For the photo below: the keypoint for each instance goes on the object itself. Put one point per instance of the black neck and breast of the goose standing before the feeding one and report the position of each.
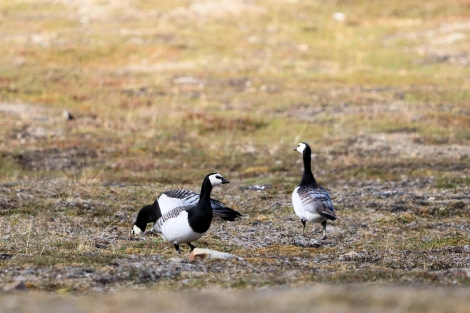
(200, 217)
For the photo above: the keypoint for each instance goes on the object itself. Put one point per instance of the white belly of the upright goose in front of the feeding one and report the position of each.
(177, 230)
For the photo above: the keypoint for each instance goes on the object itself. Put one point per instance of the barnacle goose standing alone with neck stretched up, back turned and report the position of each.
(311, 202)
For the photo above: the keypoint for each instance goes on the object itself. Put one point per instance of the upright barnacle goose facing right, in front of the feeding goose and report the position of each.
(188, 223)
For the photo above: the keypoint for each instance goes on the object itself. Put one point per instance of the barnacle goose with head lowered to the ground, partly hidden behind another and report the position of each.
(171, 199)
